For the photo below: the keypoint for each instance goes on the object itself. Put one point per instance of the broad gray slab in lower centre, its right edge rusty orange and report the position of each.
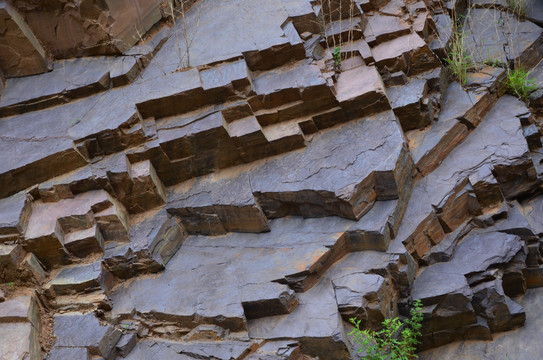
(292, 252)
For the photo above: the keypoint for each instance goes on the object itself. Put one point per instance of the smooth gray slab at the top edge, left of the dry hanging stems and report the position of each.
(211, 46)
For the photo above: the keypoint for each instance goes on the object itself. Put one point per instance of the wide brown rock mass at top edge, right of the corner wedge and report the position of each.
(82, 30)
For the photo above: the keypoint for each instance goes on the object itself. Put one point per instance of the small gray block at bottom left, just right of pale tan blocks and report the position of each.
(84, 330)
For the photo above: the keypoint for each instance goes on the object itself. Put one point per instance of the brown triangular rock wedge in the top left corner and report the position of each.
(21, 53)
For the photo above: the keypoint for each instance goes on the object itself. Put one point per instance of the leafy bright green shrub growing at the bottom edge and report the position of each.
(396, 340)
